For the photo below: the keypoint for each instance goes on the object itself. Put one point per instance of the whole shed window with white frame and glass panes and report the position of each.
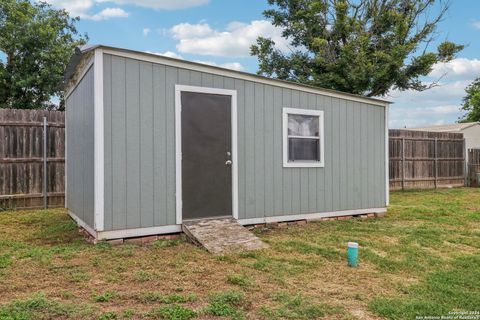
(303, 138)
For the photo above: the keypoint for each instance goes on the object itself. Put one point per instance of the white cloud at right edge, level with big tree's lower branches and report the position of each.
(459, 68)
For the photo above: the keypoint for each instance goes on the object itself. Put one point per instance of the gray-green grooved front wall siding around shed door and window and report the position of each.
(353, 176)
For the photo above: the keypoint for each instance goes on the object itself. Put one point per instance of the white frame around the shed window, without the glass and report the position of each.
(303, 164)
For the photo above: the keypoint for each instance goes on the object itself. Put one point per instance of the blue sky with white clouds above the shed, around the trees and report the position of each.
(220, 32)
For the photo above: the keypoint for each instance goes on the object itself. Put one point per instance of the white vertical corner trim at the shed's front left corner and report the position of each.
(99, 141)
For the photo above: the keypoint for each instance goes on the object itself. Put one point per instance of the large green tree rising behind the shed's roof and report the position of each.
(364, 47)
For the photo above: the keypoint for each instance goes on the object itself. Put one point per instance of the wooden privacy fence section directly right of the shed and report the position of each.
(420, 159)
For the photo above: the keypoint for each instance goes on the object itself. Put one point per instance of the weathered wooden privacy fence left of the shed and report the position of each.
(32, 176)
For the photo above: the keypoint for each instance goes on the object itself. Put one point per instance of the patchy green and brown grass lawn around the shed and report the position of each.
(422, 259)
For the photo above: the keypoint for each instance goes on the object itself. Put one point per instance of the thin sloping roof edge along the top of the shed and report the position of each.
(81, 51)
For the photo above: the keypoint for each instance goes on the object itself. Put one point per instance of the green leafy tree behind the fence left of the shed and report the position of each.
(36, 43)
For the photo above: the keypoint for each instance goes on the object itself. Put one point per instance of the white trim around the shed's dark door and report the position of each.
(178, 144)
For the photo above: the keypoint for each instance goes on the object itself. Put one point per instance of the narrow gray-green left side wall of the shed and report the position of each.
(80, 150)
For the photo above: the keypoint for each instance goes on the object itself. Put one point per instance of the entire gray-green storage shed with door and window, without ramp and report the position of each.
(153, 141)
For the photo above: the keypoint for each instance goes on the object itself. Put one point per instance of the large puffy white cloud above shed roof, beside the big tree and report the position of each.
(234, 41)
